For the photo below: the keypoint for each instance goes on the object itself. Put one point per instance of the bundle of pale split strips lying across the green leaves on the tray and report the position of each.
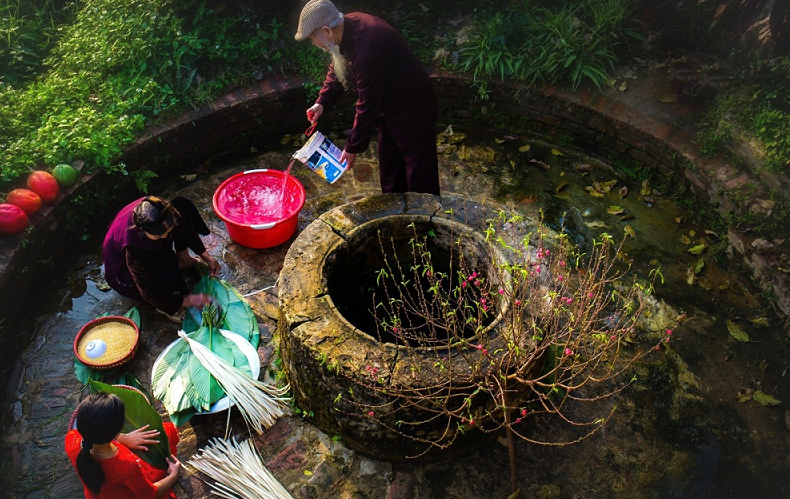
(260, 403)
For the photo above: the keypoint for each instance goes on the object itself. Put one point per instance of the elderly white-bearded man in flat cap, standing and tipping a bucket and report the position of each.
(394, 94)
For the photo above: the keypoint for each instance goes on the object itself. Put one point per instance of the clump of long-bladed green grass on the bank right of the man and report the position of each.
(543, 45)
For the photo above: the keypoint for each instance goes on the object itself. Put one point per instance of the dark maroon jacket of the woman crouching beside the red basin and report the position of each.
(143, 269)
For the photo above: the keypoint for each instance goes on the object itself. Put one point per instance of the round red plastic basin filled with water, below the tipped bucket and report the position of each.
(260, 208)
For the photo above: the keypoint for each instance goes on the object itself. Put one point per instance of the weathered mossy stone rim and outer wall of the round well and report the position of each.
(318, 343)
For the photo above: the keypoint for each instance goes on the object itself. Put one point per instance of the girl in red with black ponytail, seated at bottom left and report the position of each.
(100, 453)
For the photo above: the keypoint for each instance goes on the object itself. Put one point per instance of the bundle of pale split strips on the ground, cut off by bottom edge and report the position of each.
(238, 471)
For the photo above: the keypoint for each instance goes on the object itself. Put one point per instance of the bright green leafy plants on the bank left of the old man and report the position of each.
(83, 89)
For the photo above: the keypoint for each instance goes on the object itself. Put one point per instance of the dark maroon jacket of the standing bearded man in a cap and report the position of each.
(390, 80)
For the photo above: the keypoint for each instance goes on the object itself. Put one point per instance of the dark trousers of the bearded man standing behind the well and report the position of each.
(407, 154)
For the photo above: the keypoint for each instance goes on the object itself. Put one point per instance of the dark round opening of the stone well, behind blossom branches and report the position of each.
(384, 262)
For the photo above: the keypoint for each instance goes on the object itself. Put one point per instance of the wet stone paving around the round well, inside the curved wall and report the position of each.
(678, 432)
